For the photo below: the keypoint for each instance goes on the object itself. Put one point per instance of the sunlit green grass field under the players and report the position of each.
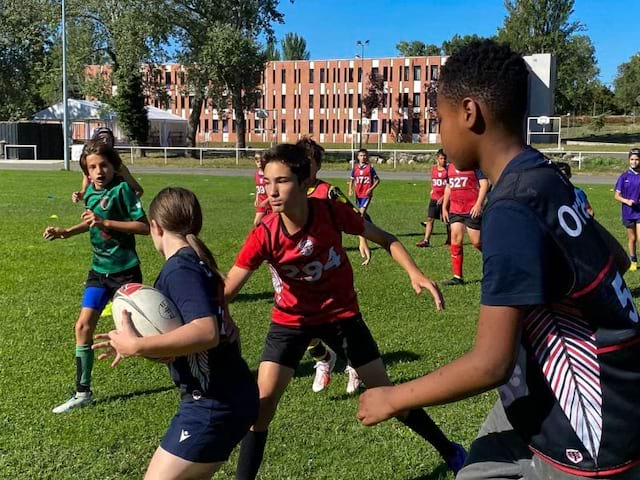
(314, 436)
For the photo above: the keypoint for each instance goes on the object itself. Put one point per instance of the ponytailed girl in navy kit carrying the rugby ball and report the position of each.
(219, 393)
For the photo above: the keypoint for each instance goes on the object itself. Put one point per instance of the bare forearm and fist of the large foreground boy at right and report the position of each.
(488, 365)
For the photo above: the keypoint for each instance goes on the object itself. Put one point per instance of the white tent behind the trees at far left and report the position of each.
(165, 128)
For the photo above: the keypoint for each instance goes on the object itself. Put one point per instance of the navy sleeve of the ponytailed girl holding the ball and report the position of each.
(192, 293)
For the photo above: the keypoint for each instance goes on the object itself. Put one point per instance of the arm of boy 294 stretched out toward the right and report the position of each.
(400, 254)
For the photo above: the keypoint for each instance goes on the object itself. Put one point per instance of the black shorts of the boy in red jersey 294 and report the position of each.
(349, 338)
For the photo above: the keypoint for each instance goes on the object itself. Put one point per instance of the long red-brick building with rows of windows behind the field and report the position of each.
(323, 98)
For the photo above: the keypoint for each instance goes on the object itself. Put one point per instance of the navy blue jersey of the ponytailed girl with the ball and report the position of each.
(195, 291)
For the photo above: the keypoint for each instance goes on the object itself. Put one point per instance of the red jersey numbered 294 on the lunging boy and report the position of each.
(311, 273)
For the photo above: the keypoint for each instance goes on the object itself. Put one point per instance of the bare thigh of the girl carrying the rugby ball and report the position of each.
(166, 466)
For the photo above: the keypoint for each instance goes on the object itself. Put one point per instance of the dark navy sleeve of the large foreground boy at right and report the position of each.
(521, 264)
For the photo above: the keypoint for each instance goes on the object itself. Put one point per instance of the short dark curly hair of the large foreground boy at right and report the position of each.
(494, 74)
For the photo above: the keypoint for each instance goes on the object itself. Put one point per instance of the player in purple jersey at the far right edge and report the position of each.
(628, 194)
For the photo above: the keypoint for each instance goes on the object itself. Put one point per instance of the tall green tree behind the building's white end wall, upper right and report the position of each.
(534, 26)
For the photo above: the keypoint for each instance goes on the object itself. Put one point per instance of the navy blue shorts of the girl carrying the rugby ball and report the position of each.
(207, 430)
